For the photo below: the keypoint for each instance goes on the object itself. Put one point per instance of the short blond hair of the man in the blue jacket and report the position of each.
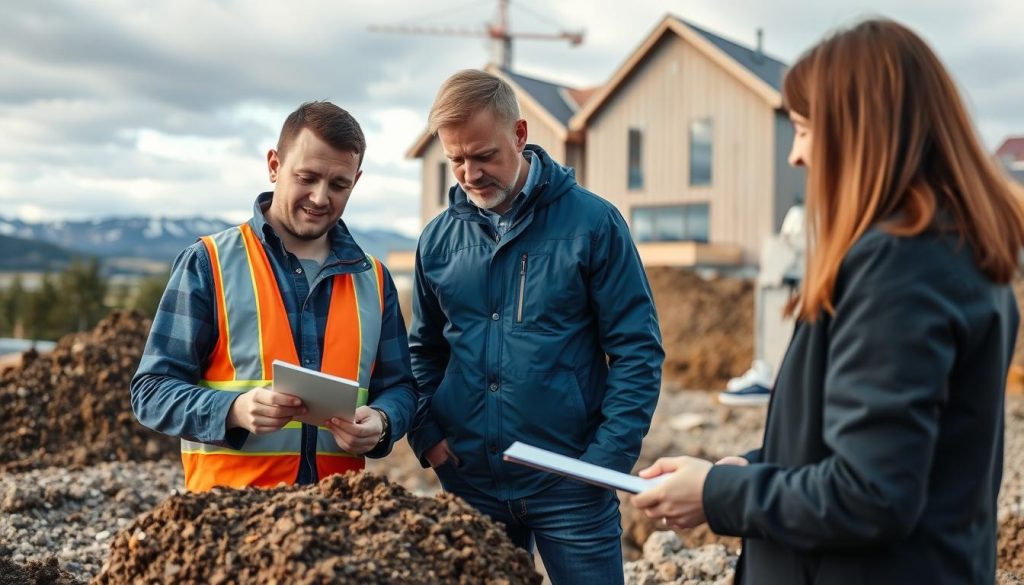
(470, 92)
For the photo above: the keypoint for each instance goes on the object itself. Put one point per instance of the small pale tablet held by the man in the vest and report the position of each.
(324, 396)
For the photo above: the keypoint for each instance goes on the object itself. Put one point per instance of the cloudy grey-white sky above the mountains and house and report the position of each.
(119, 108)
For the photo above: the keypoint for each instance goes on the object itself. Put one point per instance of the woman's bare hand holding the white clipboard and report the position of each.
(678, 498)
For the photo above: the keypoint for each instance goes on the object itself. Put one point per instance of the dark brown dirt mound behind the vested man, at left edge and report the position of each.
(72, 407)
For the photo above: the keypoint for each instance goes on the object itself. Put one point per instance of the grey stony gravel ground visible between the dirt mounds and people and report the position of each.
(74, 514)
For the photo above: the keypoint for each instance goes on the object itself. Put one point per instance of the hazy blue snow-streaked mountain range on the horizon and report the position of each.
(125, 241)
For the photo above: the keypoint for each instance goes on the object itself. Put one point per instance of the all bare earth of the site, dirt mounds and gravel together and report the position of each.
(80, 480)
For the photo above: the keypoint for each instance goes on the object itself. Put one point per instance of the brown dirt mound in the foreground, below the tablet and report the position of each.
(357, 528)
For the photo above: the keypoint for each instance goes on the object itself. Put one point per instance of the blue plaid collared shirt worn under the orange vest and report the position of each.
(164, 393)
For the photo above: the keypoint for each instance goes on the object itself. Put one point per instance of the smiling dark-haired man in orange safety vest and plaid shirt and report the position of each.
(290, 284)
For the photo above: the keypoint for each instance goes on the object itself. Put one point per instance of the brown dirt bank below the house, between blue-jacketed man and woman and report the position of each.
(707, 327)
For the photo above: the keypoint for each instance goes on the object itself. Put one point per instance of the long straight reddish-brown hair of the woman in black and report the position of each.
(892, 144)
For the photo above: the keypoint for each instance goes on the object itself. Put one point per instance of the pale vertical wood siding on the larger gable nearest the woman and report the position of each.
(675, 86)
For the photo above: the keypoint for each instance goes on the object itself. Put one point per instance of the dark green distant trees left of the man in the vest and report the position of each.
(75, 300)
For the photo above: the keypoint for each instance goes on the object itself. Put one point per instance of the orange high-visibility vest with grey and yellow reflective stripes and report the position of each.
(252, 332)
